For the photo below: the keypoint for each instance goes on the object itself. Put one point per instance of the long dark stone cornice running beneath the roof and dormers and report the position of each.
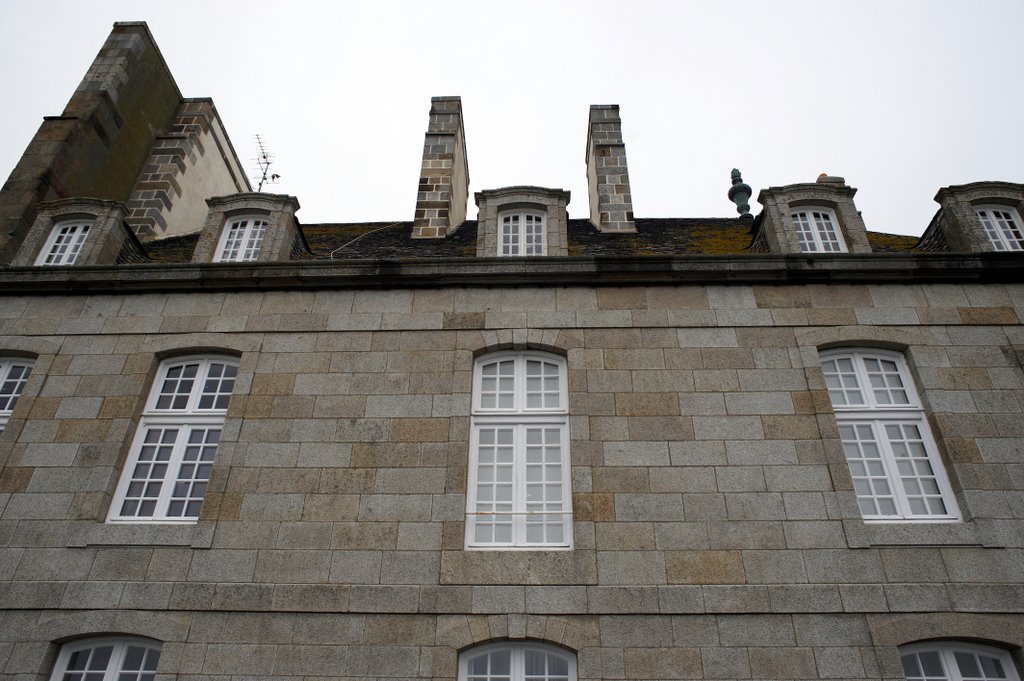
(439, 273)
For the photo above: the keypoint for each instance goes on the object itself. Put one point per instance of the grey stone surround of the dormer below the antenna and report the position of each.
(283, 234)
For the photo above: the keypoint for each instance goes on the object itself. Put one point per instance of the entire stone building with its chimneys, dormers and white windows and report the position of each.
(779, 448)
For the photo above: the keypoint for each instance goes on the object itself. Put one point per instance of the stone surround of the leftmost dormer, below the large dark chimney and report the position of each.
(104, 243)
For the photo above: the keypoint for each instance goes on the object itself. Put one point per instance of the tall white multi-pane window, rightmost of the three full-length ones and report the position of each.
(893, 458)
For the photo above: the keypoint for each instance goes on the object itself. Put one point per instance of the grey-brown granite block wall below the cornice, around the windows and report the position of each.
(716, 531)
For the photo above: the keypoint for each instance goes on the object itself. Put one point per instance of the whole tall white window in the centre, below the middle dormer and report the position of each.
(520, 493)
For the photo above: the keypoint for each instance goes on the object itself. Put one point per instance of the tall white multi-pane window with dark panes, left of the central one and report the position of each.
(169, 467)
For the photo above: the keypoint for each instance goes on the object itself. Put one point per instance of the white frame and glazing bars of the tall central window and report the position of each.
(520, 422)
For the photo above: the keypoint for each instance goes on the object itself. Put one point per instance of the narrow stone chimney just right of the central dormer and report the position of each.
(608, 178)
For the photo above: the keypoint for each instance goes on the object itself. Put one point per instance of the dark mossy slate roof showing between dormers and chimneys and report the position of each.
(389, 241)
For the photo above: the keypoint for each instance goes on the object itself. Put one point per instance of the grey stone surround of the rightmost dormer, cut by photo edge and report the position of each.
(958, 225)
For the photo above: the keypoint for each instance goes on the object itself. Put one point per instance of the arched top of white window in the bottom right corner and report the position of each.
(953, 661)
